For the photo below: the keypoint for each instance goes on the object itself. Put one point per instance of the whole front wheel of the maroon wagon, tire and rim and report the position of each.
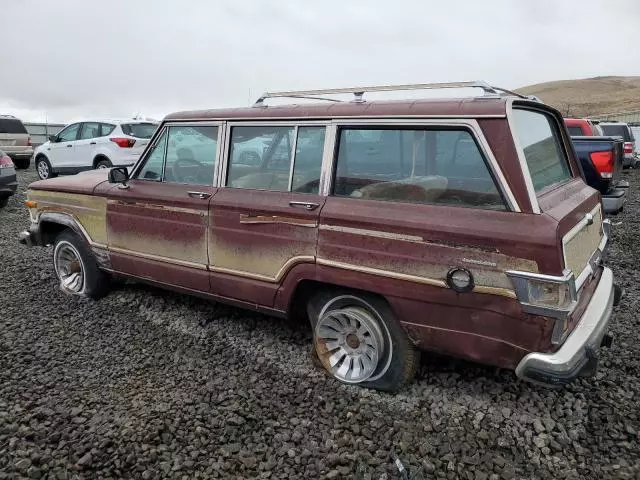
(76, 267)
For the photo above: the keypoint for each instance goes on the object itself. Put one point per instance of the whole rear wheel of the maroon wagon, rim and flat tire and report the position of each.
(358, 341)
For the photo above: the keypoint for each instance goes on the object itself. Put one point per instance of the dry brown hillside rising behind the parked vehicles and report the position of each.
(589, 96)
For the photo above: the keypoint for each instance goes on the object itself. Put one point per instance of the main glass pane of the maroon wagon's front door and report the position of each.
(191, 154)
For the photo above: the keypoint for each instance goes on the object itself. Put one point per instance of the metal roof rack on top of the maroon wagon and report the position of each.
(358, 92)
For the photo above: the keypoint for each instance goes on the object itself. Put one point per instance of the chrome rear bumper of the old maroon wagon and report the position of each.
(578, 355)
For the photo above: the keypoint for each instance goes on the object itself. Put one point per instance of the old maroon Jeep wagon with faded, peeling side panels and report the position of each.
(455, 226)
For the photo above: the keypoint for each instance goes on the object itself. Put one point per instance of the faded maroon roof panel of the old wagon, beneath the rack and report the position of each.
(457, 107)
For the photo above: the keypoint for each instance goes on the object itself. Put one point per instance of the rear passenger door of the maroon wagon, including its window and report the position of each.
(265, 220)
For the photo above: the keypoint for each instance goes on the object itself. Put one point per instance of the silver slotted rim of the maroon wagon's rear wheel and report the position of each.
(350, 343)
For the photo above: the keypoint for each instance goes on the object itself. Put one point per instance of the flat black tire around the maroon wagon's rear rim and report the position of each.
(397, 367)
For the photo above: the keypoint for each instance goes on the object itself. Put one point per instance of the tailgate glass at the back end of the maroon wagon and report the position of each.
(538, 137)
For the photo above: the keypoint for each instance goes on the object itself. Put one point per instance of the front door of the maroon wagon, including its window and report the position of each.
(157, 223)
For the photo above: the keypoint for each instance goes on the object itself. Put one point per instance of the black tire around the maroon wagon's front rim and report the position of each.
(96, 282)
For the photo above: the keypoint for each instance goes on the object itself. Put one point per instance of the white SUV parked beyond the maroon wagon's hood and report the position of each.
(93, 144)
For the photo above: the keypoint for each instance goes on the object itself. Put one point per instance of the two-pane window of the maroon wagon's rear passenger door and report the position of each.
(263, 158)
